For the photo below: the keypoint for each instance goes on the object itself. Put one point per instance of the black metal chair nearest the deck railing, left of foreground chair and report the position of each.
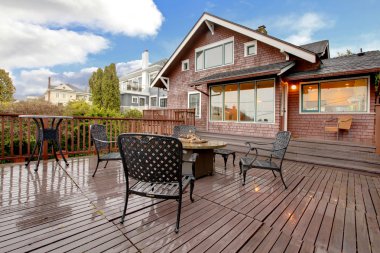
(102, 145)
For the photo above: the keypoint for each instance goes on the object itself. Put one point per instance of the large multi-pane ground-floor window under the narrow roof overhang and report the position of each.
(251, 101)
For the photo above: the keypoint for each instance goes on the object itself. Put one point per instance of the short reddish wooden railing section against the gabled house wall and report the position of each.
(187, 115)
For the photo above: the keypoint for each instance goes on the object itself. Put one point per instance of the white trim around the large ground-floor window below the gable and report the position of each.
(246, 122)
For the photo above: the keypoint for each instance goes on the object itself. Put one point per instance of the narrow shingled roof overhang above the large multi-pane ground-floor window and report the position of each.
(270, 69)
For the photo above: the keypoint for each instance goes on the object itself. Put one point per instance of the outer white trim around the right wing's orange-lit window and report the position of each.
(333, 80)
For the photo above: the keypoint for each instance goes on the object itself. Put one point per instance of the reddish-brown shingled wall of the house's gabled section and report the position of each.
(180, 81)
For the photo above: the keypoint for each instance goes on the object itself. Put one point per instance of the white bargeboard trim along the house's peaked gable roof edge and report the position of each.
(267, 39)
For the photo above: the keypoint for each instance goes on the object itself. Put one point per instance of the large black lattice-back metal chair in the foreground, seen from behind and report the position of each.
(155, 162)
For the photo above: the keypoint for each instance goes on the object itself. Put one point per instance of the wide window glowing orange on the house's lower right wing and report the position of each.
(341, 96)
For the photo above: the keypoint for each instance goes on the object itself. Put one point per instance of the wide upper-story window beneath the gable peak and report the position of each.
(215, 55)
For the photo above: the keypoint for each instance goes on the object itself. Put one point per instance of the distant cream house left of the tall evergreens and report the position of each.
(63, 93)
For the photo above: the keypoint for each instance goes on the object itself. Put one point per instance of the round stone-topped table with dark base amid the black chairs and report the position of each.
(204, 165)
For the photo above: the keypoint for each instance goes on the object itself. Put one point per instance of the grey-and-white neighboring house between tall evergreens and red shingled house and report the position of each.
(135, 90)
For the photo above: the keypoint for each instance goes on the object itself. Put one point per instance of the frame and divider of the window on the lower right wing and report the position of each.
(318, 112)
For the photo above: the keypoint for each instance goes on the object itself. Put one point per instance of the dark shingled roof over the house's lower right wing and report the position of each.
(368, 62)
